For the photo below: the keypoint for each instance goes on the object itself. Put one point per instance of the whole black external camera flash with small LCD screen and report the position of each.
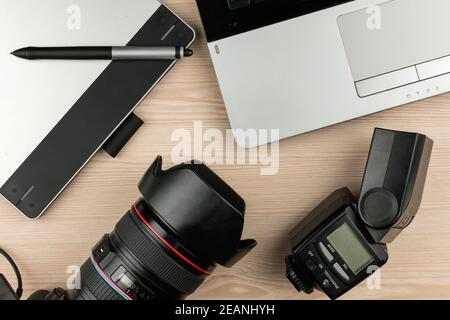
(342, 242)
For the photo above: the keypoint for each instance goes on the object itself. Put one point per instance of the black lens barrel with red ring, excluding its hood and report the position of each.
(141, 260)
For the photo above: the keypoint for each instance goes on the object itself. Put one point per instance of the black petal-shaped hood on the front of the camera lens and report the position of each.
(199, 209)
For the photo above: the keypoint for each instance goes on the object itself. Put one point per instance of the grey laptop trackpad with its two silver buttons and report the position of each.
(397, 43)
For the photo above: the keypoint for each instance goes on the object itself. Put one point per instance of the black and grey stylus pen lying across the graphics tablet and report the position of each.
(103, 53)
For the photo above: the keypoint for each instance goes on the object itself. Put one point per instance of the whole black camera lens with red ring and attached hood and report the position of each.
(170, 241)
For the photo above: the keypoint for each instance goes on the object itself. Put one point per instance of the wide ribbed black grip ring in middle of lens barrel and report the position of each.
(156, 260)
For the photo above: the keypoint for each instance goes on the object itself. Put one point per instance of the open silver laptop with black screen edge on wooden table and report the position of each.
(298, 66)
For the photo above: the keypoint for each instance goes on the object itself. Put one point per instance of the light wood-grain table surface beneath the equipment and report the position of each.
(311, 166)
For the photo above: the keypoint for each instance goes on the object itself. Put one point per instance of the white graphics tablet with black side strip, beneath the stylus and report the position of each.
(55, 115)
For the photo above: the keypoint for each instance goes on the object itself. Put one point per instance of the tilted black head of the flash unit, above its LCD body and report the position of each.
(393, 182)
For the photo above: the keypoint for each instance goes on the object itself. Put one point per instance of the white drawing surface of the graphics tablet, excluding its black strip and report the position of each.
(35, 95)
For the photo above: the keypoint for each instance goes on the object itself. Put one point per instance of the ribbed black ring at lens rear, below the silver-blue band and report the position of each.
(91, 280)
